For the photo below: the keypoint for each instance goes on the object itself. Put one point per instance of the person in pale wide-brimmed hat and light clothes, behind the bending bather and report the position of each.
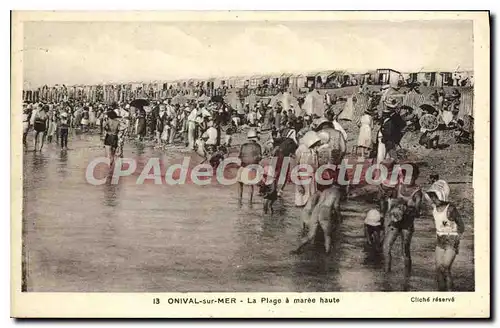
(306, 155)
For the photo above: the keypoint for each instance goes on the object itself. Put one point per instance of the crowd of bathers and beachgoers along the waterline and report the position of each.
(208, 126)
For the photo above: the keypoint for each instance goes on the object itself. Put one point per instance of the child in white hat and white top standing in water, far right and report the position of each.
(449, 230)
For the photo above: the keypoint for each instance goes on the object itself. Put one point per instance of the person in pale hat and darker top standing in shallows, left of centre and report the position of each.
(250, 153)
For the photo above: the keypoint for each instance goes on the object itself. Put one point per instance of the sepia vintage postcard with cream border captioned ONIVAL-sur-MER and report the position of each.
(250, 164)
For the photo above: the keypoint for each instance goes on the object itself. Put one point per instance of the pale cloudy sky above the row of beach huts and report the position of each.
(101, 52)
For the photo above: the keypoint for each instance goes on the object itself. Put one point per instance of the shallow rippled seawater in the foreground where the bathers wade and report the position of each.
(144, 238)
